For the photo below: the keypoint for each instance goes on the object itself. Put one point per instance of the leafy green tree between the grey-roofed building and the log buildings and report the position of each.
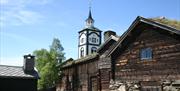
(48, 64)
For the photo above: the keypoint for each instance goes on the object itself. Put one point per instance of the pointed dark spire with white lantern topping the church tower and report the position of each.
(90, 20)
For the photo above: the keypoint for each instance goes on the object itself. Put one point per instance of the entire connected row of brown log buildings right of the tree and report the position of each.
(146, 57)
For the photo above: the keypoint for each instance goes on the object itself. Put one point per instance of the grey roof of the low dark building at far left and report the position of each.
(16, 72)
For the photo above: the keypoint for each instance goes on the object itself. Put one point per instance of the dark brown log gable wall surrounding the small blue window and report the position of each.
(165, 63)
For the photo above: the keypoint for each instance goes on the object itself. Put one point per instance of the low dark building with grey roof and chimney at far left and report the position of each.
(17, 78)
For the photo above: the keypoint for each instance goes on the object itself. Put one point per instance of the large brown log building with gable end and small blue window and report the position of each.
(147, 57)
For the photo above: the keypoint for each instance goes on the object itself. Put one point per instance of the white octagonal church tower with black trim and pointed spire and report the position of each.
(89, 38)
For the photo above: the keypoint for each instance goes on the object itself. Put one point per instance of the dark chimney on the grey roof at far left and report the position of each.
(28, 65)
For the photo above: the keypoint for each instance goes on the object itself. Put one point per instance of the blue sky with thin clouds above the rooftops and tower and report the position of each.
(28, 25)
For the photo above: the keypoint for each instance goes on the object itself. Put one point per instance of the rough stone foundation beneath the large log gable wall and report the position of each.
(135, 86)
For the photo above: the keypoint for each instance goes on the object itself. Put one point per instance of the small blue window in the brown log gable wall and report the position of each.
(146, 53)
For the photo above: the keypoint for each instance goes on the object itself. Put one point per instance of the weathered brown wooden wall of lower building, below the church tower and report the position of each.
(79, 76)
